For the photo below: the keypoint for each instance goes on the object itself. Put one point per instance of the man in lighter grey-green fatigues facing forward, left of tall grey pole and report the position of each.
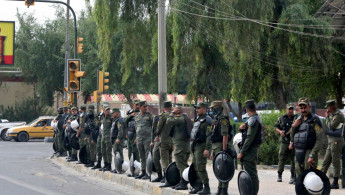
(143, 125)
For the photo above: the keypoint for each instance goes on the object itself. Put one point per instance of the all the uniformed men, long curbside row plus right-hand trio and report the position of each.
(172, 131)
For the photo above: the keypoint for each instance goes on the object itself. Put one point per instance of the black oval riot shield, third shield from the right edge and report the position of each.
(223, 167)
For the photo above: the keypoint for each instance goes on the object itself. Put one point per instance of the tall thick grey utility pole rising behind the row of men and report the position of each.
(162, 61)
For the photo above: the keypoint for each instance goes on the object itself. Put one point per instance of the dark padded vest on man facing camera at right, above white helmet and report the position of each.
(305, 137)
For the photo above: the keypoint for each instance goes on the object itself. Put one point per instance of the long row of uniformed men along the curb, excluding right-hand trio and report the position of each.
(171, 131)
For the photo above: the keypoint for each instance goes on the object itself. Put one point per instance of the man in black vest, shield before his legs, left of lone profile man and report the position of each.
(221, 135)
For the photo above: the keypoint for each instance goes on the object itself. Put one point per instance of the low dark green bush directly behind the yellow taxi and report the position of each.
(27, 111)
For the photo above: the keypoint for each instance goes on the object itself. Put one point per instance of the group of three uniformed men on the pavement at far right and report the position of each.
(301, 139)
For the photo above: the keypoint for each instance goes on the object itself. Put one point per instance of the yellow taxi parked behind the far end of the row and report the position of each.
(38, 128)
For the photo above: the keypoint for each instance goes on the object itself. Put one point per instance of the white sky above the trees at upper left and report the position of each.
(41, 11)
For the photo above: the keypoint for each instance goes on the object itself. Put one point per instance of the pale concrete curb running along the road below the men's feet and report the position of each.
(139, 185)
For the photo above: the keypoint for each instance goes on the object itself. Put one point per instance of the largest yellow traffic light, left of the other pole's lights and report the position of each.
(74, 75)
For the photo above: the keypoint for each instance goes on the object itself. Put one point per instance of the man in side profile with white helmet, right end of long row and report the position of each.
(251, 139)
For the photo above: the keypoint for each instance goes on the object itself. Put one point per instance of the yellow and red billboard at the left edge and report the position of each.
(6, 43)
